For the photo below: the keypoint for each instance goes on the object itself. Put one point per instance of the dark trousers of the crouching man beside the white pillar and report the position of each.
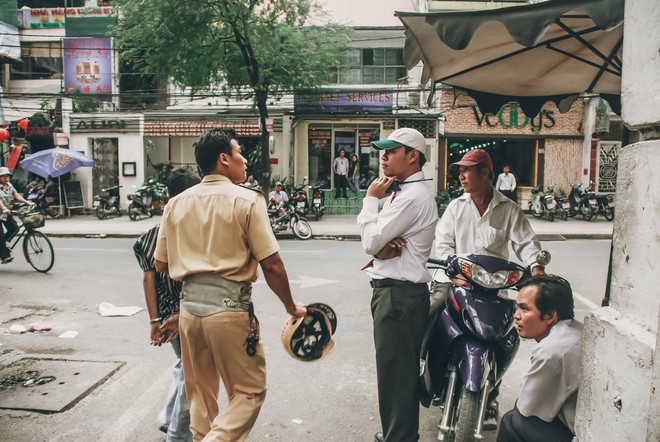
(514, 427)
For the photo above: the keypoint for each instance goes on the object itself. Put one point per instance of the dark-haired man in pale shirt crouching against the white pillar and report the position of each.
(545, 410)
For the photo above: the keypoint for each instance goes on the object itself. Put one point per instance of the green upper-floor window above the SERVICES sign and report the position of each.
(372, 66)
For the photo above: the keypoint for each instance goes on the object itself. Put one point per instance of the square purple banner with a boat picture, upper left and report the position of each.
(88, 65)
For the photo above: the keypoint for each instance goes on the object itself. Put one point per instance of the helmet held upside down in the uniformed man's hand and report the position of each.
(309, 338)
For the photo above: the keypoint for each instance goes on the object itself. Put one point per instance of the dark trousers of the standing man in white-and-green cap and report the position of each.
(399, 316)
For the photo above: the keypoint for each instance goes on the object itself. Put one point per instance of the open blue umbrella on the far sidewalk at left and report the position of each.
(55, 162)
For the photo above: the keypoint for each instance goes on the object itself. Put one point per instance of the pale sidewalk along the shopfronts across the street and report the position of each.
(330, 226)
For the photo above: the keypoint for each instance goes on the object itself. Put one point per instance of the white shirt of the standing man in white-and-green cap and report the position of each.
(412, 215)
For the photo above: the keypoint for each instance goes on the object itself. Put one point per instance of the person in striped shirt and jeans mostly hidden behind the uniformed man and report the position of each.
(162, 297)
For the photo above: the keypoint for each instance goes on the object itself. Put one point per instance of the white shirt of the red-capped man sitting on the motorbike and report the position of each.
(463, 230)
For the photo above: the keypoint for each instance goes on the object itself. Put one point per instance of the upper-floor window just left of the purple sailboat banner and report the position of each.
(39, 61)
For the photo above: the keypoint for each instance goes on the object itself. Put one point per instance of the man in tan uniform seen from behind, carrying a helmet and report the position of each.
(211, 237)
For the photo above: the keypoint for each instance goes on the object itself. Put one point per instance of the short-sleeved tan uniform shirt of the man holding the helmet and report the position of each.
(215, 226)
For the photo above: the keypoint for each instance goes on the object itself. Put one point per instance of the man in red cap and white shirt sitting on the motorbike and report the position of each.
(481, 221)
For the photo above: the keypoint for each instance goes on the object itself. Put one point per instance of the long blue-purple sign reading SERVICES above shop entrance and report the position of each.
(344, 101)
